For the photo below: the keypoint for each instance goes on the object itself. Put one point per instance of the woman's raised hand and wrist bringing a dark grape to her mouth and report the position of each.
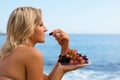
(63, 40)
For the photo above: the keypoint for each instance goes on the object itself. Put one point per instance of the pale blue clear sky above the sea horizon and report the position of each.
(72, 16)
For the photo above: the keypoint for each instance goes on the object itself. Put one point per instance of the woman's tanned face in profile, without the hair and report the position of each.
(39, 33)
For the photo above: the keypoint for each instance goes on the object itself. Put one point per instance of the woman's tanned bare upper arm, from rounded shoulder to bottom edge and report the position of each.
(34, 65)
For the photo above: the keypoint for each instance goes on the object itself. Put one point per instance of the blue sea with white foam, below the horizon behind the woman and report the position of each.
(102, 50)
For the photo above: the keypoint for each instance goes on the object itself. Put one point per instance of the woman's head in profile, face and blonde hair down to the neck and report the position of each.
(26, 23)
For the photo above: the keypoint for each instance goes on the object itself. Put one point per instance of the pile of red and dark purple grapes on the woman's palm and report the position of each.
(73, 57)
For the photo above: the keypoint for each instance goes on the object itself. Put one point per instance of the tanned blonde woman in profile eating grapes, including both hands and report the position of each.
(19, 60)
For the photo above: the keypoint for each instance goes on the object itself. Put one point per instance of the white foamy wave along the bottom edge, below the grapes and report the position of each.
(91, 75)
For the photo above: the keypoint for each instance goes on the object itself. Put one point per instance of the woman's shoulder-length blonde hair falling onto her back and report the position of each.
(20, 27)
